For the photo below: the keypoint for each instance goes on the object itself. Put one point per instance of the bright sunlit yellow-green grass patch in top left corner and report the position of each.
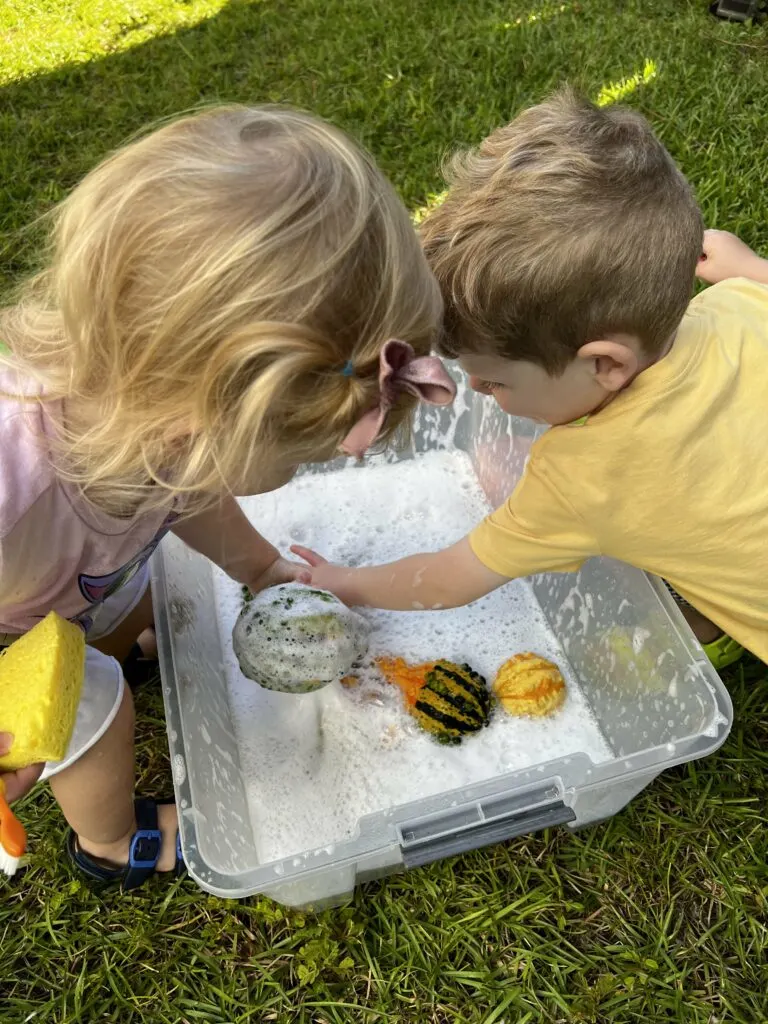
(37, 38)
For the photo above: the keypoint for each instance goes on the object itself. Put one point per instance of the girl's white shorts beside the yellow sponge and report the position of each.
(104, 684)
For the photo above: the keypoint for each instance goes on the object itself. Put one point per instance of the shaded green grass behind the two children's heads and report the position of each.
(411, 81)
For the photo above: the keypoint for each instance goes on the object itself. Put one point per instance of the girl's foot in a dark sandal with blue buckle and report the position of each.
(151, 847)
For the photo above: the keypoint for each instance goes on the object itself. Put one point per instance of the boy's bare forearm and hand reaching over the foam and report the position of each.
(445, 579)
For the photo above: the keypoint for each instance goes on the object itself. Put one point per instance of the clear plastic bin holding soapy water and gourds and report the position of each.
(654, 693)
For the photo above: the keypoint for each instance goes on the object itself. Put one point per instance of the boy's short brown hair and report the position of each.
(568, 226)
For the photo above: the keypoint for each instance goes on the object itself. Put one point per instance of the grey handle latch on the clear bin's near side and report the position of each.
(428, 849)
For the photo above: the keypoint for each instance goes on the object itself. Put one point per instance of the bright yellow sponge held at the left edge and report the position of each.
(41, 676)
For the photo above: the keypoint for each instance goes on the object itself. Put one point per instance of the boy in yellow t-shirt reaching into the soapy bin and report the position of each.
(567, 251)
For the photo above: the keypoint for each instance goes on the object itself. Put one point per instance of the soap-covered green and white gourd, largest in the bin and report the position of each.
(297, 639)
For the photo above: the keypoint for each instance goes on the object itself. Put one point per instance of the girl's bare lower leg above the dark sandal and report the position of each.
(96, 795)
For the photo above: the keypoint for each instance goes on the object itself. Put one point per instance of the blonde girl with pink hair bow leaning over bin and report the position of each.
(233, 295)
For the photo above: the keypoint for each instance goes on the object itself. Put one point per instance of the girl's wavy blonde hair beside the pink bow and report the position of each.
(207, 287)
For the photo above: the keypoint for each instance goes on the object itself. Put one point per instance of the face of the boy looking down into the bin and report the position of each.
(527, 390)
